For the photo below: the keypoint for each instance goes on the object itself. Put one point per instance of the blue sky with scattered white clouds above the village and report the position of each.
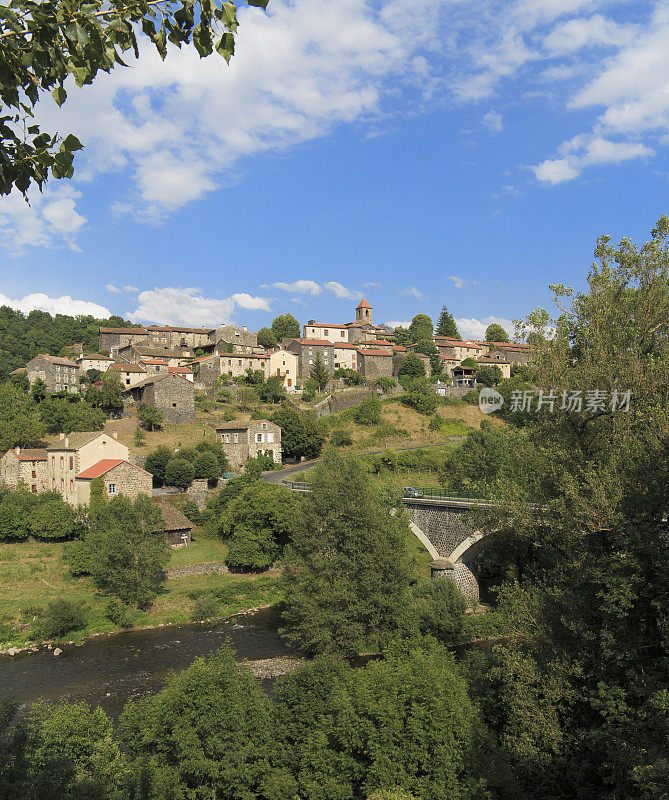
(419, 153)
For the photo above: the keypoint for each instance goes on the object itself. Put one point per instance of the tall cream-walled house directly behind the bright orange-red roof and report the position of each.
(74, 453)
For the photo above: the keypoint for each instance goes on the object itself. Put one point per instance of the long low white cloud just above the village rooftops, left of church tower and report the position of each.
(190, 307)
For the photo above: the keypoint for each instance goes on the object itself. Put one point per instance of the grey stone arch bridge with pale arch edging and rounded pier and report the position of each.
(442, 527)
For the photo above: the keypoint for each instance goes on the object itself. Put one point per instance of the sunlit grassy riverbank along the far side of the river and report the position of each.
(32, 574)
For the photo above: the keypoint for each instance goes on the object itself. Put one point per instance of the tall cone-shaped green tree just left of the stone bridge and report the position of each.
(346, 573)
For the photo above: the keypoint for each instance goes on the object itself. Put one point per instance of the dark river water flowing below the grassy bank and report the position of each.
(108, 670)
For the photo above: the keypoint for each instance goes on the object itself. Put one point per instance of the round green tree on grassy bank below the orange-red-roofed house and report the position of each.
(124, 549)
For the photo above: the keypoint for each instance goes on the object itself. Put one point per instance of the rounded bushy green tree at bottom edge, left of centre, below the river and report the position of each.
(208, 733)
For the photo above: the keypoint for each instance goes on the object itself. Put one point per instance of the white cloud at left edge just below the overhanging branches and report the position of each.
(51, 219)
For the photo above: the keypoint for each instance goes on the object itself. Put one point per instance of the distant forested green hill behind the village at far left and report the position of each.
(24, 336)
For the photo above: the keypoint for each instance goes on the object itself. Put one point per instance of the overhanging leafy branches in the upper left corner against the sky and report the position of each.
(42, 44)
